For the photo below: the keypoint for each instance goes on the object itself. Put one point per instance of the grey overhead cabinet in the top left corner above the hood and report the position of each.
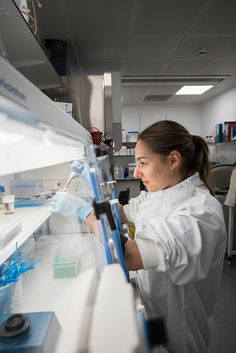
(23, 50)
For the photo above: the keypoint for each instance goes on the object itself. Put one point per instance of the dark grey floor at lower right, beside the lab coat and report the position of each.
(224, 321)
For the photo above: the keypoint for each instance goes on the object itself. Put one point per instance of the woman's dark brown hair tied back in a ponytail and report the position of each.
(166, 136)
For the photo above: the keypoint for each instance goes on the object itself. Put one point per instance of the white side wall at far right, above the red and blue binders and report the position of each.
(218, 110)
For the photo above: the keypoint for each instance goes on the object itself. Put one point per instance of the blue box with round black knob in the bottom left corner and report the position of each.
(35, 332)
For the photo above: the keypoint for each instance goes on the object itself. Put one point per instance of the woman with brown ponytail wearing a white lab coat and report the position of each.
(180, 235)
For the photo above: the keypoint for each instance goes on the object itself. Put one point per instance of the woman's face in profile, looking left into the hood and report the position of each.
(157, 172)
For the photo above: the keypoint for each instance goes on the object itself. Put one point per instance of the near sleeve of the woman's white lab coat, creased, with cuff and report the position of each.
(183, 244)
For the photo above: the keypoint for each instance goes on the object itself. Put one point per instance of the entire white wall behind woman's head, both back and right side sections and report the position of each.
(198, 119)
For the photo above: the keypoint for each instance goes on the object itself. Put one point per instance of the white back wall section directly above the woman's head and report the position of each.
(138, 117)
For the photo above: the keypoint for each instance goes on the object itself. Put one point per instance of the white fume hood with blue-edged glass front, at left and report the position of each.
(96, 309)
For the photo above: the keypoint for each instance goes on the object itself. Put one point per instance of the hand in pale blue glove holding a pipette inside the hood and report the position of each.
(69, 205)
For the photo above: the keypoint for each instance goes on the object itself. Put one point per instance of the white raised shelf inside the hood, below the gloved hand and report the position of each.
(31, 219)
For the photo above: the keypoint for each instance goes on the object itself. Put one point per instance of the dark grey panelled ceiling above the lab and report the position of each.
(164, 43)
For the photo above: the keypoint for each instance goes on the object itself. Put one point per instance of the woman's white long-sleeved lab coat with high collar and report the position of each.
(181, 236)
